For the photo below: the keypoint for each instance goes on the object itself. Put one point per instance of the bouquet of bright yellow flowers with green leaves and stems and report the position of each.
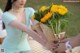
(54, 17)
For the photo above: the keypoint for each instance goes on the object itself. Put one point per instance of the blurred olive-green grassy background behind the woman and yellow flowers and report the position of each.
(73, 27)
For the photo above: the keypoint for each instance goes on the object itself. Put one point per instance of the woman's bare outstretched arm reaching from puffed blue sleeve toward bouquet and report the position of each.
(20, 26)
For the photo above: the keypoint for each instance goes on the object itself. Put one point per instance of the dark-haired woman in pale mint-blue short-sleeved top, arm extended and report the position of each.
(17, 22)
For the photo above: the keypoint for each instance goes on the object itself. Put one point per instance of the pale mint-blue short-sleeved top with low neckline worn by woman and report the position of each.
(16, 39)
